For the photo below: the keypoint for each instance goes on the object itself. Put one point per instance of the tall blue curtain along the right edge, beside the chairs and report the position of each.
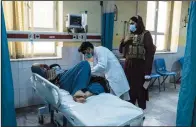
(187, 93)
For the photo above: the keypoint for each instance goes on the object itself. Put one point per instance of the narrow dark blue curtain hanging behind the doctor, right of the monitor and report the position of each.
(107, 29)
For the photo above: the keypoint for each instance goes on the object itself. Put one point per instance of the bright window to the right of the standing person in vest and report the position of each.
(157, 22)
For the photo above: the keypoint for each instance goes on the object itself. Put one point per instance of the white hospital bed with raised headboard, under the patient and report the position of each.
(100, 110)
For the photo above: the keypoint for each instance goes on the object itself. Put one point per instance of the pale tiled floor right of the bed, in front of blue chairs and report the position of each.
(161, 109)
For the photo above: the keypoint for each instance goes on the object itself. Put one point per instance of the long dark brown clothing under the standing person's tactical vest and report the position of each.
(136, 69)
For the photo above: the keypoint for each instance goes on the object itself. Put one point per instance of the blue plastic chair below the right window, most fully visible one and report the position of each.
(161, 69)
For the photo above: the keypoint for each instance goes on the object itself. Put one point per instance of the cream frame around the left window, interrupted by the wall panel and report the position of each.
(30, 24)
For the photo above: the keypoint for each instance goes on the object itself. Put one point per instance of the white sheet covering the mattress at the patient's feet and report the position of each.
(101, 110)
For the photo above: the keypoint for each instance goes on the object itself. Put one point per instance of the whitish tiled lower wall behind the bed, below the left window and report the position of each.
(24, 95)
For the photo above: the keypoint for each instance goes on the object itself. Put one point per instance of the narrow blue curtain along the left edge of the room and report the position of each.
(8, 116)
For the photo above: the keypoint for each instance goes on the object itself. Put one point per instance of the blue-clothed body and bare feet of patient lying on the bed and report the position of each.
(79, 82)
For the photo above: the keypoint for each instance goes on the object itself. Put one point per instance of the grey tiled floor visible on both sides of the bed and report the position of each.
(161, 110)
